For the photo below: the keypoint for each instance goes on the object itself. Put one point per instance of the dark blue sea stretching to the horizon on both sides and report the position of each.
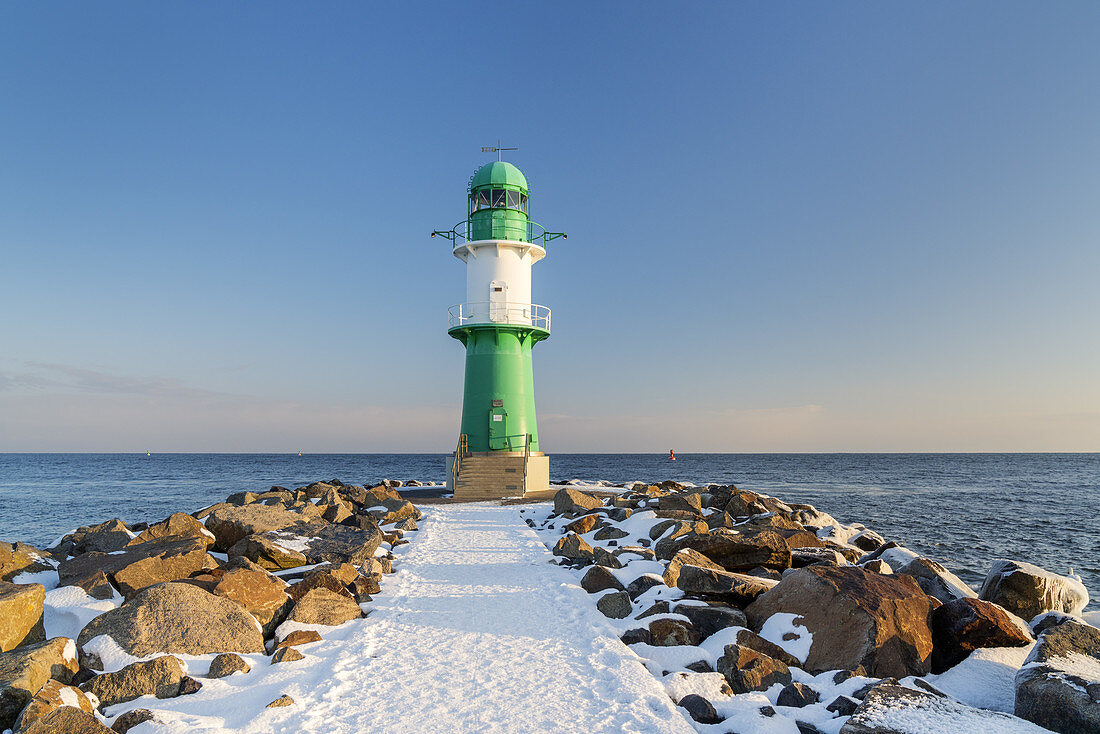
(963, 510)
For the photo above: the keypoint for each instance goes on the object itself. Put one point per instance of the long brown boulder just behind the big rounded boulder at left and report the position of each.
(134, 568)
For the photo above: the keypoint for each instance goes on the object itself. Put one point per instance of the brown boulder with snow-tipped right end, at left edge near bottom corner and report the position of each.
(26, 671)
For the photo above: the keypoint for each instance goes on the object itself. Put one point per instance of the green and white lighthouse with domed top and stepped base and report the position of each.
(499, 453)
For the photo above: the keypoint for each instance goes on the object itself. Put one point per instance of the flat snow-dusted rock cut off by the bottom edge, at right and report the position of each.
(892, 709)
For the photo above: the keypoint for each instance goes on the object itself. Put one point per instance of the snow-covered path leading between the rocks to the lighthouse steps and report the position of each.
(476, 632)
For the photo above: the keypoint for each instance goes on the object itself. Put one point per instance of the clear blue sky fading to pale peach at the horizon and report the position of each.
(793, 227)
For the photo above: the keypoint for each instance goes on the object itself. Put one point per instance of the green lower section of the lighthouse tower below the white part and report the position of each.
(499, 367)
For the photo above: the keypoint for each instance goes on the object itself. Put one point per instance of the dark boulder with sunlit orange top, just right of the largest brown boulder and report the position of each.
(962, 627)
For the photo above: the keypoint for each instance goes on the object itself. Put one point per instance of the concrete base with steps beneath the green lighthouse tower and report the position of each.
(498, 475)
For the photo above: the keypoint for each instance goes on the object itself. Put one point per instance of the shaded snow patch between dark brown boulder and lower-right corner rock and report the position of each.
(986, 680)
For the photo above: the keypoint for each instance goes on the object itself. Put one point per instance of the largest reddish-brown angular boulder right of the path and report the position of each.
(856, 619)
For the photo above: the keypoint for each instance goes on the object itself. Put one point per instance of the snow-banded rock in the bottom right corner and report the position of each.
(1059, 686)
